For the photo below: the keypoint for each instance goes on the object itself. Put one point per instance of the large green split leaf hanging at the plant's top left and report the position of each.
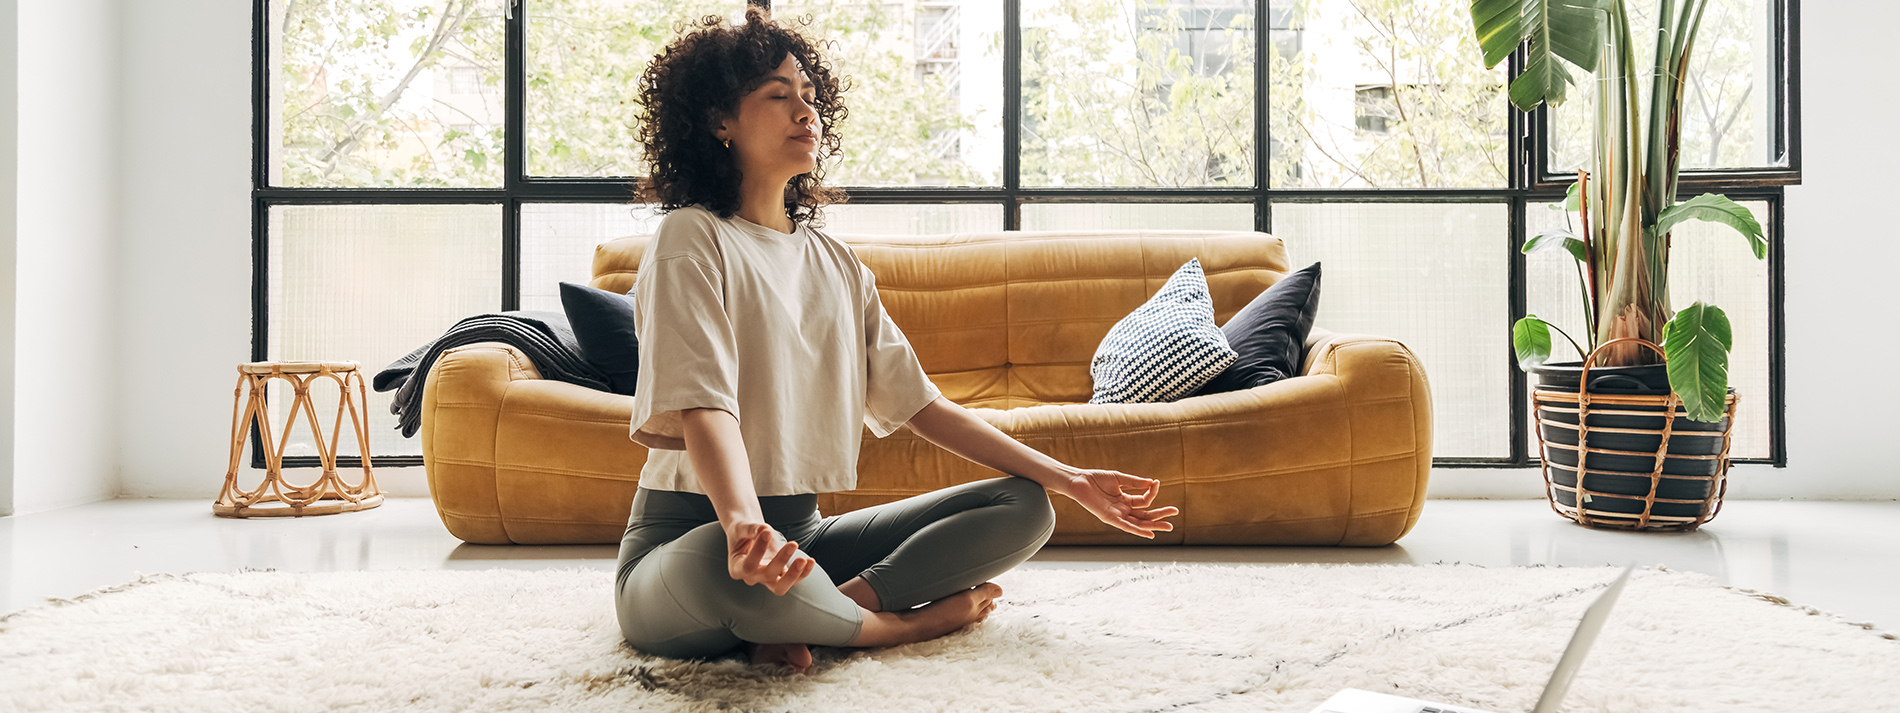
(1555, 29)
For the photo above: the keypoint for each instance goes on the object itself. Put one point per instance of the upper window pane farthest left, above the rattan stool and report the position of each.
(389, 94)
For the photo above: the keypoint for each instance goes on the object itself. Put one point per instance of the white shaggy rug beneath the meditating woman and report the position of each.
(1135, 638)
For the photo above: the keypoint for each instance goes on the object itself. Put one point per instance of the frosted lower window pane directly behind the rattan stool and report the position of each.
(371, 284)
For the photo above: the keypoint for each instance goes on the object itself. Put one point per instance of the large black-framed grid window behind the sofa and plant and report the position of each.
(425, 161)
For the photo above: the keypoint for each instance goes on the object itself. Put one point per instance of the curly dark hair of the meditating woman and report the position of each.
(704, 75)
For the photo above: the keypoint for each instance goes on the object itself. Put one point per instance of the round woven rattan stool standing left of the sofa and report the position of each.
(326, 497)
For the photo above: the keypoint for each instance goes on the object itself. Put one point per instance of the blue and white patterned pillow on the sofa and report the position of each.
(1166, 349)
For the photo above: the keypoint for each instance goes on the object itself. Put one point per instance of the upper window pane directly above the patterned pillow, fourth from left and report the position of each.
(1139, 94)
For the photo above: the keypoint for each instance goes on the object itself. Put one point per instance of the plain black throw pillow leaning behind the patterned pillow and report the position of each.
(1270, 334)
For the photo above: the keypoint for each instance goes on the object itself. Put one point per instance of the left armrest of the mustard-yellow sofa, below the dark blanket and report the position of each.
(461, 412)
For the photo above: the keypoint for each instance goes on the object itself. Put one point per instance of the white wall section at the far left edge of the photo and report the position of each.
(67, 220)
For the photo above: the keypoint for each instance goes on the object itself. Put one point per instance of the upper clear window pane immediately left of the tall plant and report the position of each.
(1384, 94)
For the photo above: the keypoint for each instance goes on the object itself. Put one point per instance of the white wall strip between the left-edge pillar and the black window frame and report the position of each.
(185, 309)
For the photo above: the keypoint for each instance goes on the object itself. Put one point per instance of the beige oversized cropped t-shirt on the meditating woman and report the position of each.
(786, 332)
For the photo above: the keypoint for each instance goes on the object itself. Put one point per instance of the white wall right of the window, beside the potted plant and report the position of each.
(1842, 267)
